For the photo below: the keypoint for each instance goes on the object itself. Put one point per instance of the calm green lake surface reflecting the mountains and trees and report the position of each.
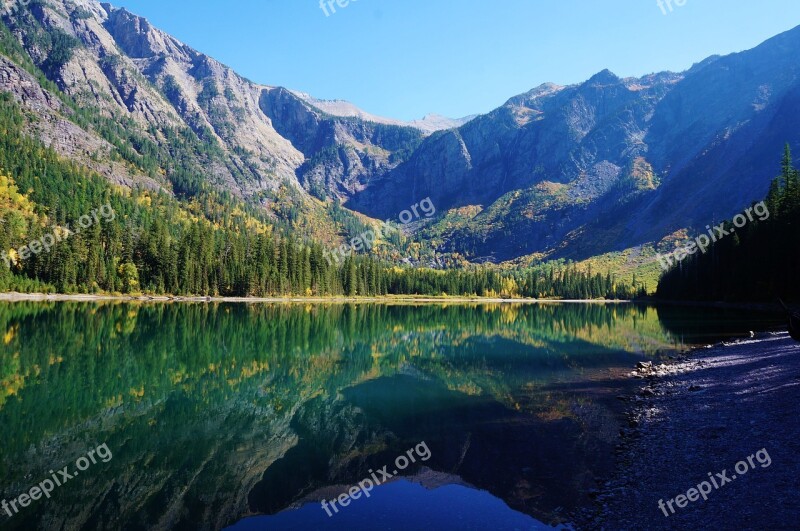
(248, 416)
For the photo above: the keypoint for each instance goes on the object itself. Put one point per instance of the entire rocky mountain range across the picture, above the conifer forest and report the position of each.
(558, 172)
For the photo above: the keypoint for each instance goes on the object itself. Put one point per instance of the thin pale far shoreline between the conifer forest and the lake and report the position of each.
(405, 299)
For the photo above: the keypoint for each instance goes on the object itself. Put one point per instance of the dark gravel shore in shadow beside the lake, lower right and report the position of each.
(704, 414)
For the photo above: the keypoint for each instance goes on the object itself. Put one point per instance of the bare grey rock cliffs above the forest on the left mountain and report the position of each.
(121, 65)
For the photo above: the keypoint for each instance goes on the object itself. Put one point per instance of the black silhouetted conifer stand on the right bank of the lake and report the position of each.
(758, 262)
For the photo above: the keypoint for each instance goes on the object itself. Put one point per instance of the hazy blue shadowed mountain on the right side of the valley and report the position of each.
(608, 164)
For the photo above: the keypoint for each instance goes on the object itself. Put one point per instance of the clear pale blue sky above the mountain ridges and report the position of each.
(406, 58)
